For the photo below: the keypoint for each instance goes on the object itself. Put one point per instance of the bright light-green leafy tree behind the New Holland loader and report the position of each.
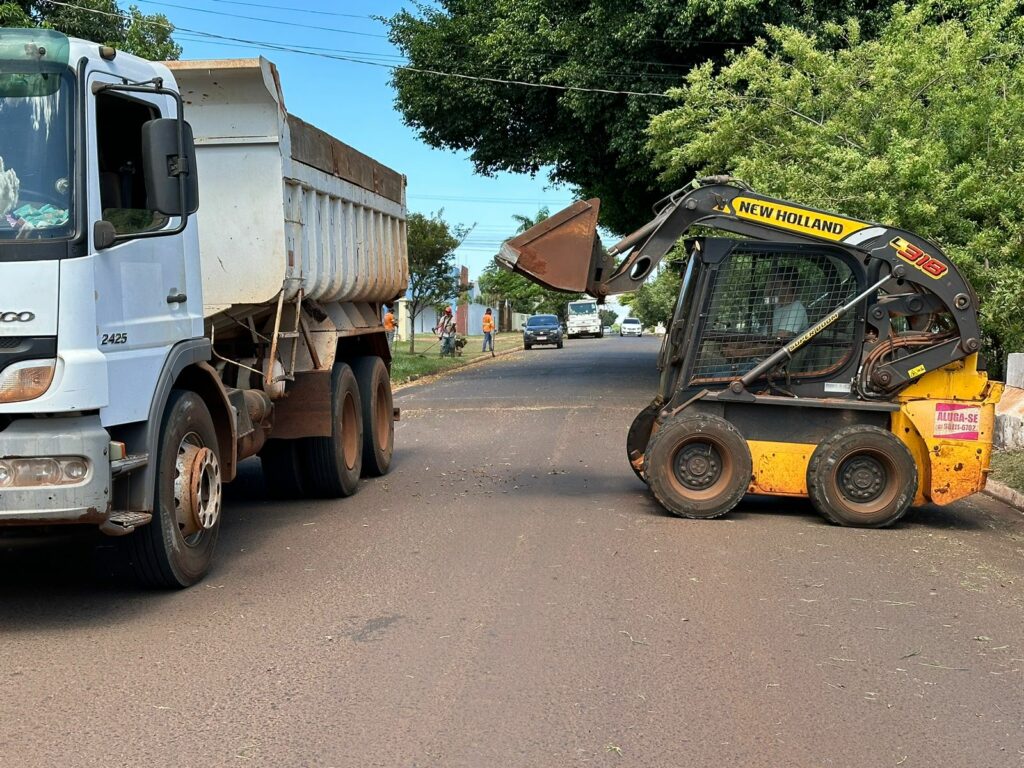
(923, 127)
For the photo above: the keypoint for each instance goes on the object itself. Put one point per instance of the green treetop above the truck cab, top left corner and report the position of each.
(100, 21)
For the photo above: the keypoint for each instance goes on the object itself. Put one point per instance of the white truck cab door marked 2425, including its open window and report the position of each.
(141, 284)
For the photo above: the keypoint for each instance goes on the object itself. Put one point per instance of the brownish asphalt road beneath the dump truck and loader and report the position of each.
(510, 595)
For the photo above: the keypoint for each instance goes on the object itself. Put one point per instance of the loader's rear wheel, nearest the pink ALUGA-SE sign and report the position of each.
(863, 477)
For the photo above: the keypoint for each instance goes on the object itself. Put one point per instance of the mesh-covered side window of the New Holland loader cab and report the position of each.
(760, 301)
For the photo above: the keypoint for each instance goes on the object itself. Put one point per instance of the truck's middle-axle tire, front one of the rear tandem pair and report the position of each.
(332, 465)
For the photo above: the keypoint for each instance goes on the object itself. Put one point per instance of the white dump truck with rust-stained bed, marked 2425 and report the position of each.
(189, 277)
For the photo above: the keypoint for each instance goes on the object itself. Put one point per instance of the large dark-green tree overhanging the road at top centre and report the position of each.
(594, 142)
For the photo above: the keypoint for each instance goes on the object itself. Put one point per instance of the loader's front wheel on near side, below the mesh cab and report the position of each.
(698, 466)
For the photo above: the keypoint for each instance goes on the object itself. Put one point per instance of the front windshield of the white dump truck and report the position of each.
(36, 178)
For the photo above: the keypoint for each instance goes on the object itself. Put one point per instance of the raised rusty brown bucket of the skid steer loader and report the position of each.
(563, 252)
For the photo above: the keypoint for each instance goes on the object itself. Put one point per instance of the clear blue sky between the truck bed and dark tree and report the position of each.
(356, 103)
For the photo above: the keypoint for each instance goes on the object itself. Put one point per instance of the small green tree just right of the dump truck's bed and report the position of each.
(433, 276)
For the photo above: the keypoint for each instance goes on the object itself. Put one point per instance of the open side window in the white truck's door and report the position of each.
(122, 186)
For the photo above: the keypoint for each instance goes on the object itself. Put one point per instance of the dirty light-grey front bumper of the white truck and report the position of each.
(84, 501)
